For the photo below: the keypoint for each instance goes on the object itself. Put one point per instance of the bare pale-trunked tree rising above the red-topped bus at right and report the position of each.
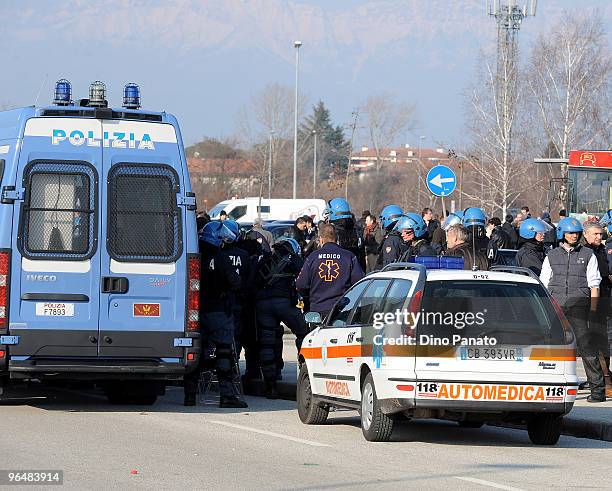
(568, 78)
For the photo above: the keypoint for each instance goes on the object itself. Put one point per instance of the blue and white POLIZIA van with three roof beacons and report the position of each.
(99, 264)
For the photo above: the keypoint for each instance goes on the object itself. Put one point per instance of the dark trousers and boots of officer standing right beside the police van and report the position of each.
(217, 330)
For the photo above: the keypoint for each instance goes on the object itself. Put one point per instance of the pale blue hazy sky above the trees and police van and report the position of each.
(203, 59)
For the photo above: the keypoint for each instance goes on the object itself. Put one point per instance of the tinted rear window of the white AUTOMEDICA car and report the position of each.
(512, 313)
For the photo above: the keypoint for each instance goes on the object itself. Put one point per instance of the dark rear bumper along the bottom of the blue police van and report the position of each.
(99, 369)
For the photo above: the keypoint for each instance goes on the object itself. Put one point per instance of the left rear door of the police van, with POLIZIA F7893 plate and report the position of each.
(56, 251)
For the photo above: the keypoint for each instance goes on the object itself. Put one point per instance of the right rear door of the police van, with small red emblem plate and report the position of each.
(143, 261)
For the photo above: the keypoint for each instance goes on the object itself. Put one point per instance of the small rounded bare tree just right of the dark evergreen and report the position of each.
(385, 119)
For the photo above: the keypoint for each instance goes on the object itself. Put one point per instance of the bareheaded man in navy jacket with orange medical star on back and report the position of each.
(327, 273)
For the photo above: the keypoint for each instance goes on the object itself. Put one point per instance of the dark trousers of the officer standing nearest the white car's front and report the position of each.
(270, 313)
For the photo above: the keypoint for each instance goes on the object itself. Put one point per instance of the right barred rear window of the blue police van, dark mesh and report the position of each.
(144, 219)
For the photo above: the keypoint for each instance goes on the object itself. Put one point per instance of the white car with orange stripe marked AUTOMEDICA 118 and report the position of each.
(466, 346)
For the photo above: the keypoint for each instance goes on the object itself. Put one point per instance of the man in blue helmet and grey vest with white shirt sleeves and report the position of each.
(571, 274)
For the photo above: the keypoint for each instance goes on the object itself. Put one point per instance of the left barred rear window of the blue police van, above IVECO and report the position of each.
(58, 215)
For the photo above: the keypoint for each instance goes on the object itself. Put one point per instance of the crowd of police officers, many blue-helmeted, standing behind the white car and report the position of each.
(250, 288)
